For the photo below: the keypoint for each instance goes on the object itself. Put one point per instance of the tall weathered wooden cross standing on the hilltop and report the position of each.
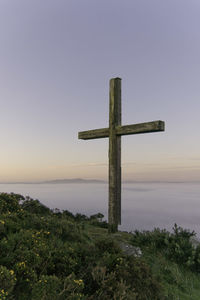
(114, 133)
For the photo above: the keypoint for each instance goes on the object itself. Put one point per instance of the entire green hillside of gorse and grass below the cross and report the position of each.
(48, 254)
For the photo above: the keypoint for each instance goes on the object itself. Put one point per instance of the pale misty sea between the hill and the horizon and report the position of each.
(145, 206)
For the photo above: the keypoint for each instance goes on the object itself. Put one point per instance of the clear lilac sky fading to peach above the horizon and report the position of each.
(56, 60)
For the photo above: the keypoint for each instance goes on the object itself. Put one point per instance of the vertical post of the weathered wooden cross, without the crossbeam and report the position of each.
(114, 207)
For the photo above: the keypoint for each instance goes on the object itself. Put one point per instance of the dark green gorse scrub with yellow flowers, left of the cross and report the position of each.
(49, 254)
